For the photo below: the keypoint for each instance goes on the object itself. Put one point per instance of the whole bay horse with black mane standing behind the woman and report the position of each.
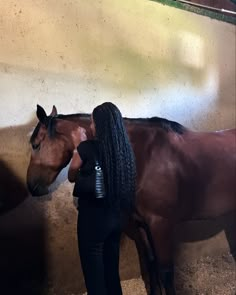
(182, 175)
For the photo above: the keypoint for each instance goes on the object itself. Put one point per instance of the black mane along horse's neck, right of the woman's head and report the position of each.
(167, 125)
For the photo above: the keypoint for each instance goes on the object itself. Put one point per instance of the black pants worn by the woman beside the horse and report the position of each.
(99, 233)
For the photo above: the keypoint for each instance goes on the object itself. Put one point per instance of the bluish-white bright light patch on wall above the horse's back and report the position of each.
(182, 103)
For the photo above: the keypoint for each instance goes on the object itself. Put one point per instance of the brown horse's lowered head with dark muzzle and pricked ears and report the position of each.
(52, 149)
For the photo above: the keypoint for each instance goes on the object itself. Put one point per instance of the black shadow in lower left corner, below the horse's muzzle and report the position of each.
(22, 264)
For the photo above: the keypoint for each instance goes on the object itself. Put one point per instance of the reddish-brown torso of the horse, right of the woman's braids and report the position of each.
(185, 176)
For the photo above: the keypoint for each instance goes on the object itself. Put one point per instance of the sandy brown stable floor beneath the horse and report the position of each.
(207, 276)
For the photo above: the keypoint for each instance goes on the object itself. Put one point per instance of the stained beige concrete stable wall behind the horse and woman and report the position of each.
(149, 59)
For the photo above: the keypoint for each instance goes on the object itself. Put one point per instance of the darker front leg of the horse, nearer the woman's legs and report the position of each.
(148, 264)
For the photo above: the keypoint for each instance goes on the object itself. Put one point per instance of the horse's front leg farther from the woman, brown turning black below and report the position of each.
(162, 237)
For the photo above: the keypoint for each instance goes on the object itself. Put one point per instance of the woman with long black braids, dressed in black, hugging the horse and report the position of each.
(100, 220)
